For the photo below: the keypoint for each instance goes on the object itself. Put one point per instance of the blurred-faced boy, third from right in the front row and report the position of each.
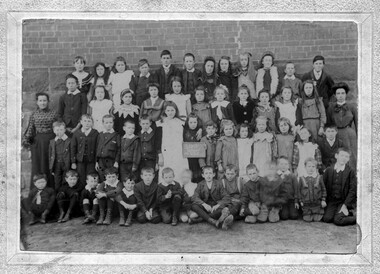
(288, 210)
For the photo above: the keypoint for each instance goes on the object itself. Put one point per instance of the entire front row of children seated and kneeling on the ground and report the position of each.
(277, 195)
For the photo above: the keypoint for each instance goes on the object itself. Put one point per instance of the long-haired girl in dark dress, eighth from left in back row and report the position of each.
(226, 78)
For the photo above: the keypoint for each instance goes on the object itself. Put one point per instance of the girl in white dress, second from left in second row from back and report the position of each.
(100, 105)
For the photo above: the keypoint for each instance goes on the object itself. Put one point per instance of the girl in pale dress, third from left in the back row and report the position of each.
(119, 79)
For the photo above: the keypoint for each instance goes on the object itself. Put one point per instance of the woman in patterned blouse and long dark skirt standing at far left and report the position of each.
(38, 134)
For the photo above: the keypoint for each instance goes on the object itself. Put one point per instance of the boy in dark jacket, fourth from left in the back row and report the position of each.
(140, 81)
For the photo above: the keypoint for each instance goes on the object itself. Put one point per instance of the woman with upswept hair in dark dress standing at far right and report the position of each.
(343, 115)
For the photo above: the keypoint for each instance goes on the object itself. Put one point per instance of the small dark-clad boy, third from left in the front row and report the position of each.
(88, 198)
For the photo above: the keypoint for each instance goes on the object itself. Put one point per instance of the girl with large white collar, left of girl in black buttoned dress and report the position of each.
(220, 108)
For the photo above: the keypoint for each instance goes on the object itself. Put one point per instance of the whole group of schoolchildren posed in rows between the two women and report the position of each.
(124, 147)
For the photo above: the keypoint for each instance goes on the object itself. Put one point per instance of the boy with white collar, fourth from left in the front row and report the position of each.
(106, 193)
